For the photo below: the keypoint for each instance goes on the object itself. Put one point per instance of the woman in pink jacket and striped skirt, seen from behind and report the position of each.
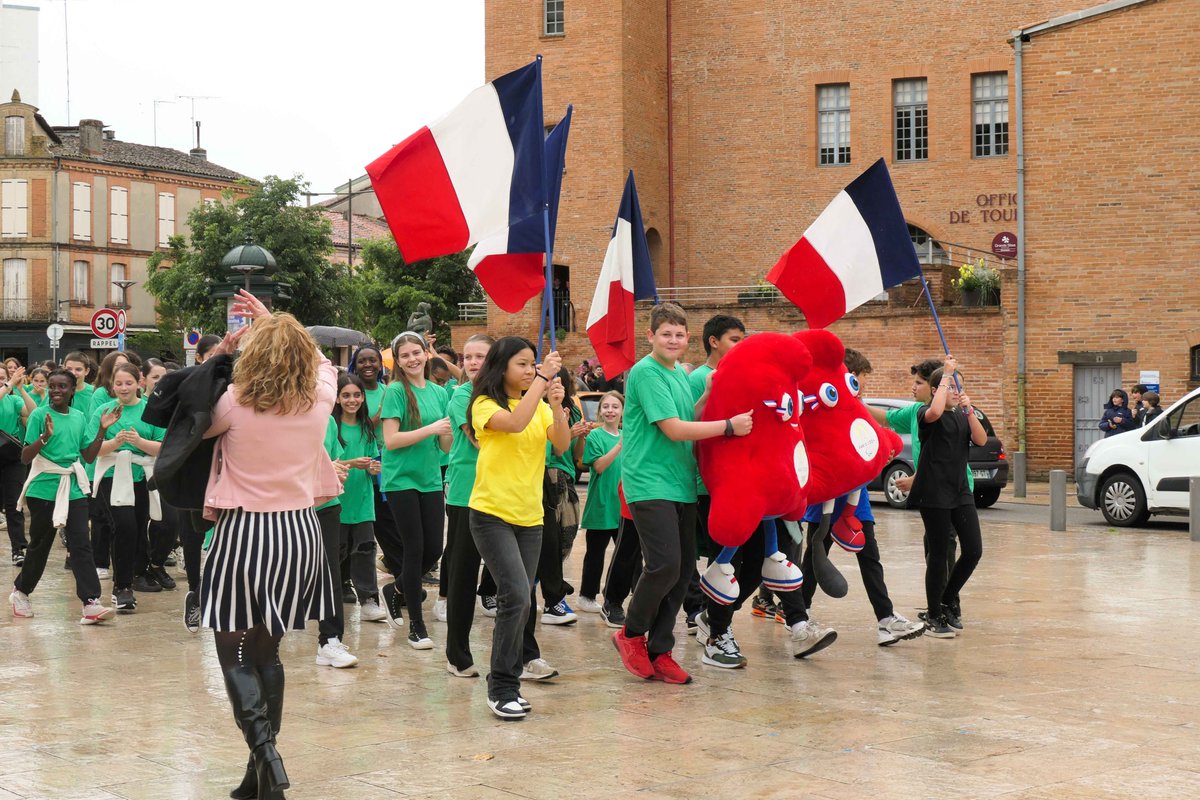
(267, 569)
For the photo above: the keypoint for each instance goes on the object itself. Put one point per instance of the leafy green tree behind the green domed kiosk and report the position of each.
(182, 279)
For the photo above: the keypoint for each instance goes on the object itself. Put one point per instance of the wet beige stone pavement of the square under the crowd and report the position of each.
(1077, 679)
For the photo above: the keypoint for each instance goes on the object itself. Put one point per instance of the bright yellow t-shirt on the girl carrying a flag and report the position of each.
(509, 472)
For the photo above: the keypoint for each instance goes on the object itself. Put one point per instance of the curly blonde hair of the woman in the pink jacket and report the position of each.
(278, 366)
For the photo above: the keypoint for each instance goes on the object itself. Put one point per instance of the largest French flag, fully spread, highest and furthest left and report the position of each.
(475, 172)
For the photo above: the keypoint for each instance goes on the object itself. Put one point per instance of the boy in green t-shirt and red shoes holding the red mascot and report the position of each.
(659, 480)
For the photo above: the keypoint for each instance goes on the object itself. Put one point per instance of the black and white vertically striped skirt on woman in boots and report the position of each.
(266, 568)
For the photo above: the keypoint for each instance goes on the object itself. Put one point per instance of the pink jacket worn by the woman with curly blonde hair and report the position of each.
(272, 462)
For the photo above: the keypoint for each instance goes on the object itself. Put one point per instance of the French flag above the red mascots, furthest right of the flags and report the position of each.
(859, 248)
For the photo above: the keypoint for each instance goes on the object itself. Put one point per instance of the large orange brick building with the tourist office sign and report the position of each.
(743, 119)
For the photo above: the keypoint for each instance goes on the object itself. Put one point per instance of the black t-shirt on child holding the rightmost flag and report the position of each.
(941, 479)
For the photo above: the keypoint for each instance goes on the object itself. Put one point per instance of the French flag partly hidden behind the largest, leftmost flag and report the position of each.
(512, 266)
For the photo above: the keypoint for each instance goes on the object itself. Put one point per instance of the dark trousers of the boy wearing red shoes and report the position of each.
(668, 531)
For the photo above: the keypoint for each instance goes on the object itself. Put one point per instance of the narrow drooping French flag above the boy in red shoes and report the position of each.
(627, 276)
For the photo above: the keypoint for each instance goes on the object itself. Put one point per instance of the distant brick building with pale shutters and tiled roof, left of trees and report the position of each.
(82, 209)
